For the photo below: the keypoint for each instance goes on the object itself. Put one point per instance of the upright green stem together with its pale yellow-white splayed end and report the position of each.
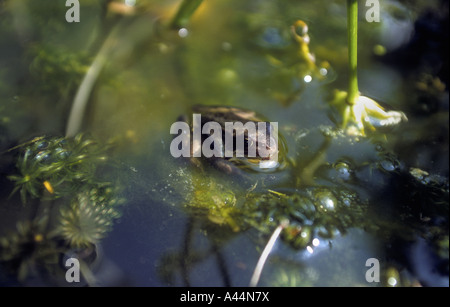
(361, 111)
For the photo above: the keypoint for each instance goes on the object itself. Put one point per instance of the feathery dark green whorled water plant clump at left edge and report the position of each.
(76, 207)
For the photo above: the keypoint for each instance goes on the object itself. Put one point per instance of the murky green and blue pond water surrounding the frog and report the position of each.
(115, 199)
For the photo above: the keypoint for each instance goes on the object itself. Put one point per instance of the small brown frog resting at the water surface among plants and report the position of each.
(239, 165)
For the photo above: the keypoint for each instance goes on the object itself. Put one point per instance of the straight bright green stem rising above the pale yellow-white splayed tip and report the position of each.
(352, 30)
